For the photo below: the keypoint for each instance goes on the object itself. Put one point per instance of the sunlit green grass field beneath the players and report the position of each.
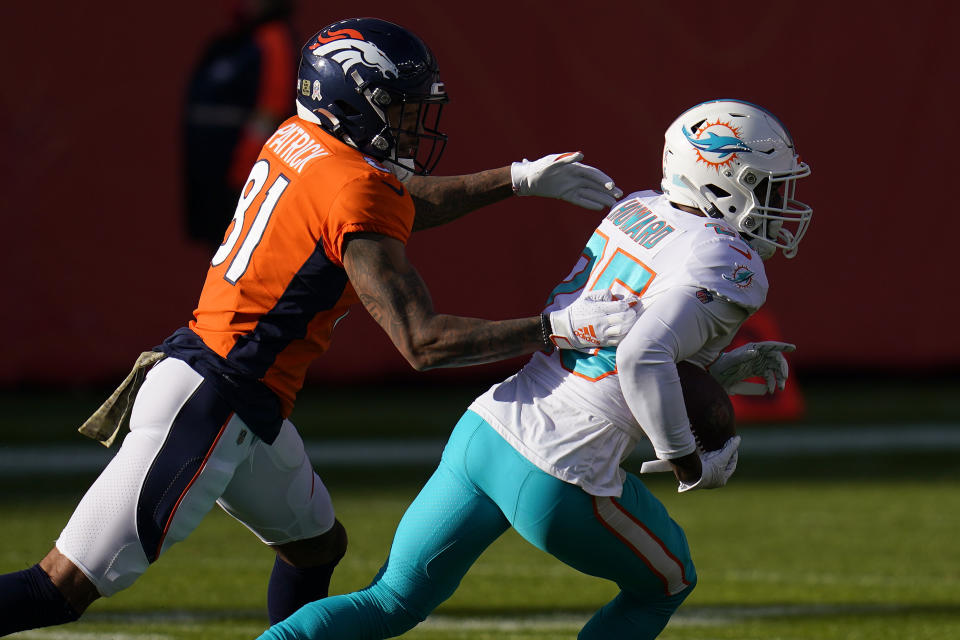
(797, 547)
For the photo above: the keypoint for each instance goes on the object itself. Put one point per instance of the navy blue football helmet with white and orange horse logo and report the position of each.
(375, 86)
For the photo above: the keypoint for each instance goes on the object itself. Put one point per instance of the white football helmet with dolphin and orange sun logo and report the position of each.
(734, 160)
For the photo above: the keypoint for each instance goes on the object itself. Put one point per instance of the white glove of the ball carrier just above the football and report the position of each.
(763, 359)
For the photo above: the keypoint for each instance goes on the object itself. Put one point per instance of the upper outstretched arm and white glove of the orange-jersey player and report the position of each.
(442, 199)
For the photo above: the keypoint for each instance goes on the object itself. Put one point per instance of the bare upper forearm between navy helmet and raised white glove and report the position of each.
(443, 199)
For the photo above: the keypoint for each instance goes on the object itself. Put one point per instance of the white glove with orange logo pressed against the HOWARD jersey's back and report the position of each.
(595, 320)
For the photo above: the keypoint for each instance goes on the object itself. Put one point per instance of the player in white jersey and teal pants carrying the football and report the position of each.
(541, 451)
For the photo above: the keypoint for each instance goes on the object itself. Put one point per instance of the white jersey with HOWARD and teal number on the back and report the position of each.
(567, 412)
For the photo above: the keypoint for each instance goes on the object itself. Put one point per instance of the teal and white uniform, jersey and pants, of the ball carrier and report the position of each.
(541, 451)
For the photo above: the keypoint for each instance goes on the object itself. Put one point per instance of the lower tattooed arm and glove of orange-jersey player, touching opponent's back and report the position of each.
(394, 294)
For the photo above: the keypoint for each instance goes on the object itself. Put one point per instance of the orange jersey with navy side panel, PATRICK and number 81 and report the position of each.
(277, 287)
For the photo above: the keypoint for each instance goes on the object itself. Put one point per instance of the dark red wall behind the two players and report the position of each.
(97, 266)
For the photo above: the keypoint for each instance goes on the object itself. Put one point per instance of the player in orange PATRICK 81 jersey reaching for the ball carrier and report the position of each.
(320, 225)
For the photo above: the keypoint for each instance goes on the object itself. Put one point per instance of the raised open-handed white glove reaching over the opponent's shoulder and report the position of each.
(562, 176)
